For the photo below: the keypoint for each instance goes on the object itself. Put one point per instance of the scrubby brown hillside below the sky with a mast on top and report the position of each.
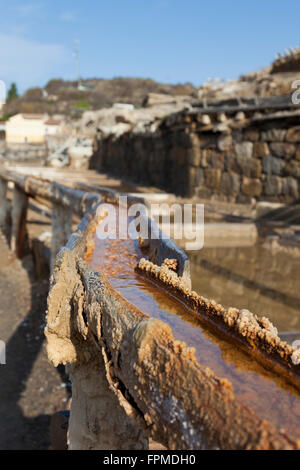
(62, 97)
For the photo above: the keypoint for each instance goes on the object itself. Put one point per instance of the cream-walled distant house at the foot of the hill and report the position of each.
(30, 128)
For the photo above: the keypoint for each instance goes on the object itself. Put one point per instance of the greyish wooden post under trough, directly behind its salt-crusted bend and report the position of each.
(61, 229)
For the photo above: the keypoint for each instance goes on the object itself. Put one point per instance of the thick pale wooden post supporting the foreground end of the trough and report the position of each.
(97, 421)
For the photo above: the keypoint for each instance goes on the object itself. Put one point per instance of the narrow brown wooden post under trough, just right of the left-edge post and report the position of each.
(19, 213)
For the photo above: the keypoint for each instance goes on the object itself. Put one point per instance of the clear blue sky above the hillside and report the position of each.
(168, 40)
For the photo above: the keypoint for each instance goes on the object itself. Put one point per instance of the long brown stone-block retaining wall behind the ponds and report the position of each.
(235, 158)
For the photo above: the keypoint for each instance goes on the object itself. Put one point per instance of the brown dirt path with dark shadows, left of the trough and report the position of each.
(31, 389)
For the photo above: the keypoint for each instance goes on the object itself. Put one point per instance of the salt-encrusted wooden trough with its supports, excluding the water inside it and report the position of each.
(131, 378)
